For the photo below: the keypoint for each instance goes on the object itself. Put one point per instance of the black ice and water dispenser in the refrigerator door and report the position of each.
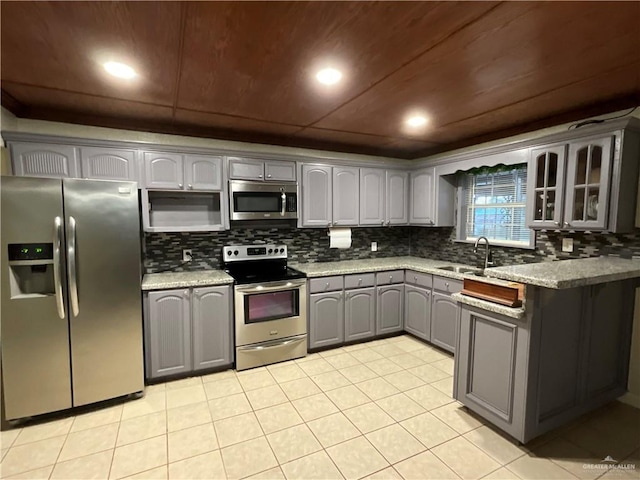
(31, 270)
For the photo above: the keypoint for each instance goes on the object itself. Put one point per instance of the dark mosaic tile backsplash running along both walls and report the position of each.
(164, 250)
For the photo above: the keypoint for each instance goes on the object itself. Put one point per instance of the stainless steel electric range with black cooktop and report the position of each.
(270, 305)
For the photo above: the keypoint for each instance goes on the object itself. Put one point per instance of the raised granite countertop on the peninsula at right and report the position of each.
(569, 273)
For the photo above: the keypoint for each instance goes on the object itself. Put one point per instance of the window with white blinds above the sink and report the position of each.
(493, 205)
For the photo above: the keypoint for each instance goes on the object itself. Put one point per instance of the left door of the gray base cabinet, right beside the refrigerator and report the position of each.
(168, 333)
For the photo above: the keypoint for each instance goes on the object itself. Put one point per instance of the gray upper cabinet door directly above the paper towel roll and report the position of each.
(346, 196)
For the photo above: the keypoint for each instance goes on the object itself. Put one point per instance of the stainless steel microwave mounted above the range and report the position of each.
(263, 200)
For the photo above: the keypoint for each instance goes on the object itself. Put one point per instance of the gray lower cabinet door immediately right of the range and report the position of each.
(326, 319)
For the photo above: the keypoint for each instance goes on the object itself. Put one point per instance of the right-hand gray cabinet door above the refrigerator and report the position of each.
(109, 164)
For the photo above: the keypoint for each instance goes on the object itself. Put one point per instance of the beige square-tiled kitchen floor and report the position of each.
(379, 410)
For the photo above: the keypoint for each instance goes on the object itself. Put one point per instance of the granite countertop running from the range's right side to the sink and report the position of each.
(346, 267)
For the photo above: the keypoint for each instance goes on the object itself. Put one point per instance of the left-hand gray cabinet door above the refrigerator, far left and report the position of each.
(45, 160)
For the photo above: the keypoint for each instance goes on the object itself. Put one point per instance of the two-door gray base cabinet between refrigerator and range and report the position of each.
(187, 330)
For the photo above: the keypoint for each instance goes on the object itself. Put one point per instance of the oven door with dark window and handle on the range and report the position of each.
(270, 311)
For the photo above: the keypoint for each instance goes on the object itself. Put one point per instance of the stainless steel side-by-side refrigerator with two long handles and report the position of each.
(71, 305)
